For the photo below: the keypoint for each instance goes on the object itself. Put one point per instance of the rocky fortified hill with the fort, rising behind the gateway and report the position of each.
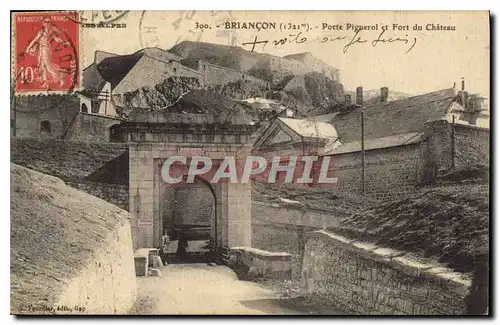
(300, 82)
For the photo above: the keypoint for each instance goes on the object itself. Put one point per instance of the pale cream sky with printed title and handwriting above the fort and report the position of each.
(435, 59)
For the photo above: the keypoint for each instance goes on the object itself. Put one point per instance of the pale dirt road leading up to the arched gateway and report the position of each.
(203, 289)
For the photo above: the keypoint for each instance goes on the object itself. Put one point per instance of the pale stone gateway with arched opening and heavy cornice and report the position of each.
(158, 136)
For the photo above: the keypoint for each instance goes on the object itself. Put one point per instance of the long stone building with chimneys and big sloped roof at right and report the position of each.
(408, 142)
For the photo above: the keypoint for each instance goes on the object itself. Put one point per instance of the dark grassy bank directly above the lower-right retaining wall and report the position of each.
(448, 226)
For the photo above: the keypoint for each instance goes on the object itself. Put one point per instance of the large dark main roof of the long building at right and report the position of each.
(395, 117)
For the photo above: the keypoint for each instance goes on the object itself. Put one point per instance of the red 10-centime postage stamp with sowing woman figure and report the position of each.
(46, 52)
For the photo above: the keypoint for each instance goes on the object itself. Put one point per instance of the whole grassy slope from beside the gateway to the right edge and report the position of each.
(442, 225)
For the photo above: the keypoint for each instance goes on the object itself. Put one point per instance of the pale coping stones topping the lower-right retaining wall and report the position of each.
(404, 262)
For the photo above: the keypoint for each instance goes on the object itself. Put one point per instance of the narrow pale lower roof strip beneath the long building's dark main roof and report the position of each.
(379, 143)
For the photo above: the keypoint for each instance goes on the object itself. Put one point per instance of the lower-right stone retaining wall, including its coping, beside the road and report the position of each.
(362, 278)
